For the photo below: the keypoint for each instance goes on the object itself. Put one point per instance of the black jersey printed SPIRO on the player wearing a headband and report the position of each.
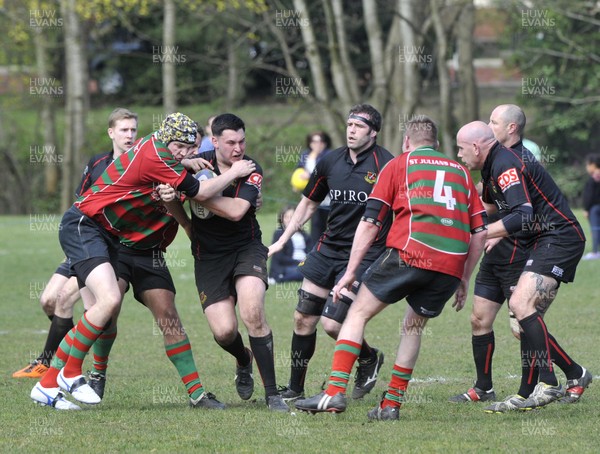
(348, 185)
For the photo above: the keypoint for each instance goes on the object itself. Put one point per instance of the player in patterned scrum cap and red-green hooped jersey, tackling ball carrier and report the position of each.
(123, 204)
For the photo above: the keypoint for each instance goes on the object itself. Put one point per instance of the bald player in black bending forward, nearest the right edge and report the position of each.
(534, 209)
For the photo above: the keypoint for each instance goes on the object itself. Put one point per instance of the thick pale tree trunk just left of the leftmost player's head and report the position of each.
(76, 101)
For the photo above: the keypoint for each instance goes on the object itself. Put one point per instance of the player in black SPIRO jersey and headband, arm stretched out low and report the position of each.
(347, 175)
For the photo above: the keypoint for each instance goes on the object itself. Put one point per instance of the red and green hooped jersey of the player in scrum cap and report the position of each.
(124, 200)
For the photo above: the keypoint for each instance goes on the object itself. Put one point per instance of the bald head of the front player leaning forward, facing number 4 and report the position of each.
(474, 141)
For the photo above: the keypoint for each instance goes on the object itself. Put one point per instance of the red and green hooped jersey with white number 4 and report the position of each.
(436, 207)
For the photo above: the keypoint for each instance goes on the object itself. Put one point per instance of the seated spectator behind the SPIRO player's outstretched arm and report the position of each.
(284, 264)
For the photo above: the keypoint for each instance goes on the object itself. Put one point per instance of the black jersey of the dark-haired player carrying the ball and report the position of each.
(216, 234)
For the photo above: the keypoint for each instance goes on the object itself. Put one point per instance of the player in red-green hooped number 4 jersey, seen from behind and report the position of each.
(435, 241)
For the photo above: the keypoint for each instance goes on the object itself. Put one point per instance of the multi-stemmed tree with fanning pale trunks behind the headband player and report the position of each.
(337, 79)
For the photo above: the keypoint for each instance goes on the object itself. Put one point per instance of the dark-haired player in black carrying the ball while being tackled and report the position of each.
(230, 263)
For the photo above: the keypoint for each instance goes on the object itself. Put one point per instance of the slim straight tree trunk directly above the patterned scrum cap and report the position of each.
(167, 53)
